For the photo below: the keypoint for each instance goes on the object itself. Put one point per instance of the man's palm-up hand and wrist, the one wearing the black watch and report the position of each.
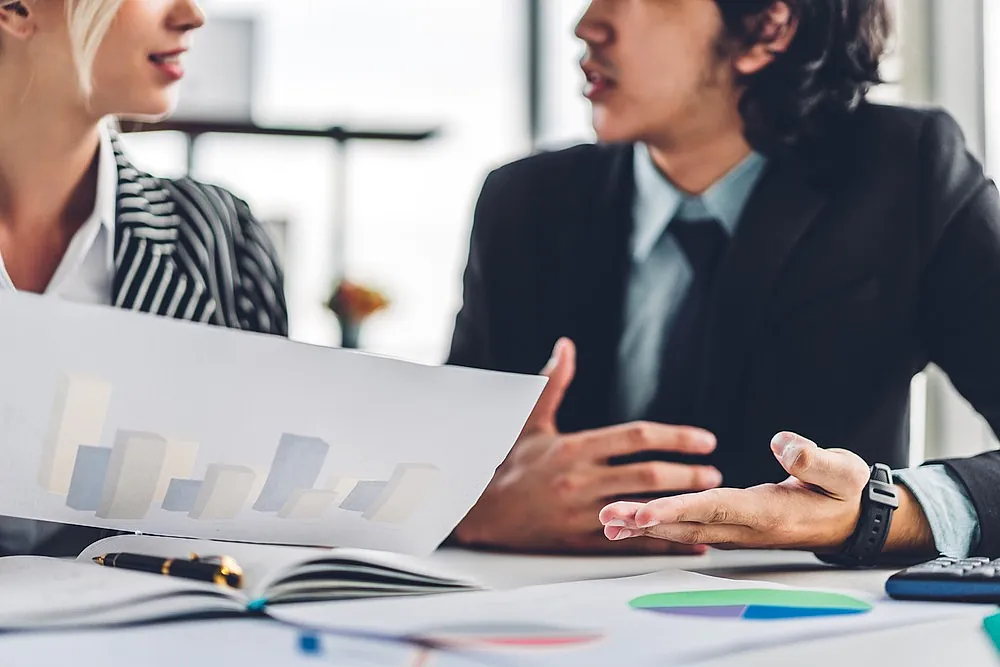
(815, 509)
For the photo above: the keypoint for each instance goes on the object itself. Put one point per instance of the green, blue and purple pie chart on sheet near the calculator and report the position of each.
(751, 604)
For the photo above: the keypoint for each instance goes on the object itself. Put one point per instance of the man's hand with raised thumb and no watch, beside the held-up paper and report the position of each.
(547, 494)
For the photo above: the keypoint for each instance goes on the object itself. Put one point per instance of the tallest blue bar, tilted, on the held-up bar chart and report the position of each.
(296, 465)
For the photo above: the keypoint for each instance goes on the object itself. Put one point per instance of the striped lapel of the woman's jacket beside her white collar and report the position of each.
(153, 273)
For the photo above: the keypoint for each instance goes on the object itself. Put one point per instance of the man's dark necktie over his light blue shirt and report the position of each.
(704, 243)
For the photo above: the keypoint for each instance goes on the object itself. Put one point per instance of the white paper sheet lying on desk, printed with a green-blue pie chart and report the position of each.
(593, 623)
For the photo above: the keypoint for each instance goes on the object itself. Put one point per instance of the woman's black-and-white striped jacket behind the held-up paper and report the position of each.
(183, 250)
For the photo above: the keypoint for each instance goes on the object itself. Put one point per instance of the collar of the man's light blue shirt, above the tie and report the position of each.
(658, 201)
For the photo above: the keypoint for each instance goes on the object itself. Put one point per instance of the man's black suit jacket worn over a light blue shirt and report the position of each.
(852, 268)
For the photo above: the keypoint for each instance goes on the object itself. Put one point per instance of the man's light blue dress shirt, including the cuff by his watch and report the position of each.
(660, 276)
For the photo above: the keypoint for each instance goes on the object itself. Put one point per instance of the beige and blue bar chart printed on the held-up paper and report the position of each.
(143, 471)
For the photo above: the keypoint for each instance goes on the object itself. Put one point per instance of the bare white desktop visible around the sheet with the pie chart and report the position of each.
(954, 642)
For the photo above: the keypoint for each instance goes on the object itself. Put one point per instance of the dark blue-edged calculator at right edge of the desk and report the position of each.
(948, 580)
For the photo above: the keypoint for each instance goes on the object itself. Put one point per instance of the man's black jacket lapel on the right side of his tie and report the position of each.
(779, 212)
